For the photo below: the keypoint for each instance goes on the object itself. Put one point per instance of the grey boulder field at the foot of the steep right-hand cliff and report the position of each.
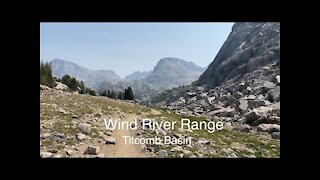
(253, 99)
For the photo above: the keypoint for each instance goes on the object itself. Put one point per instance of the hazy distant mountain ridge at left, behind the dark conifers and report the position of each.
(89, 77)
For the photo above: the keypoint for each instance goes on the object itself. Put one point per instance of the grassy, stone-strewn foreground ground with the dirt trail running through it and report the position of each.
(71, 125)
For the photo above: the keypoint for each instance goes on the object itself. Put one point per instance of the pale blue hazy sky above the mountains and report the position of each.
(128, 47)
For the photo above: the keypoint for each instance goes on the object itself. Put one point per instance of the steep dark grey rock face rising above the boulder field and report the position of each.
(249, 46)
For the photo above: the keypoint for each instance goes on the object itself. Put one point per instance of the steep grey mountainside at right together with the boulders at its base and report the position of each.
(241, 86)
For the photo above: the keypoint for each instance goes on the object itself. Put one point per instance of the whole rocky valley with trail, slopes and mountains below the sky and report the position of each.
(230, 109)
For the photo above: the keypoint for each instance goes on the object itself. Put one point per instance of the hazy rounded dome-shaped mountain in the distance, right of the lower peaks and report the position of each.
(172, 72)
